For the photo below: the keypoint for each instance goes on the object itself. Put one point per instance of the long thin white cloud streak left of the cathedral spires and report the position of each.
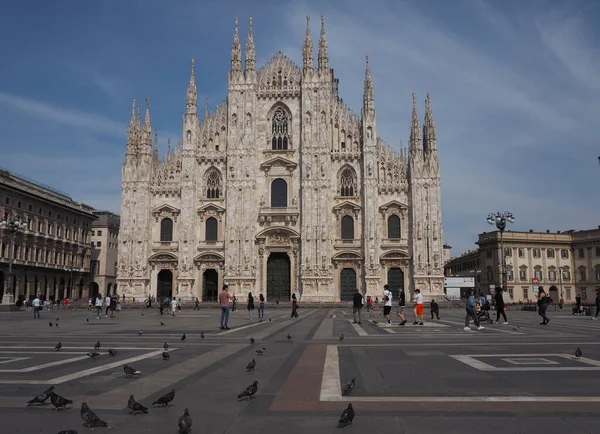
(50, 113)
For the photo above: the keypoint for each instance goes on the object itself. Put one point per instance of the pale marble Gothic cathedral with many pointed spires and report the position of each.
(280, 189)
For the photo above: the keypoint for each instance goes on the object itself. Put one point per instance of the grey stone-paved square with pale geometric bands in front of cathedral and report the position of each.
(414, 379)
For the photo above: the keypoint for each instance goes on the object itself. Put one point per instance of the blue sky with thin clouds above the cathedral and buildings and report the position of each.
(515, 90)
